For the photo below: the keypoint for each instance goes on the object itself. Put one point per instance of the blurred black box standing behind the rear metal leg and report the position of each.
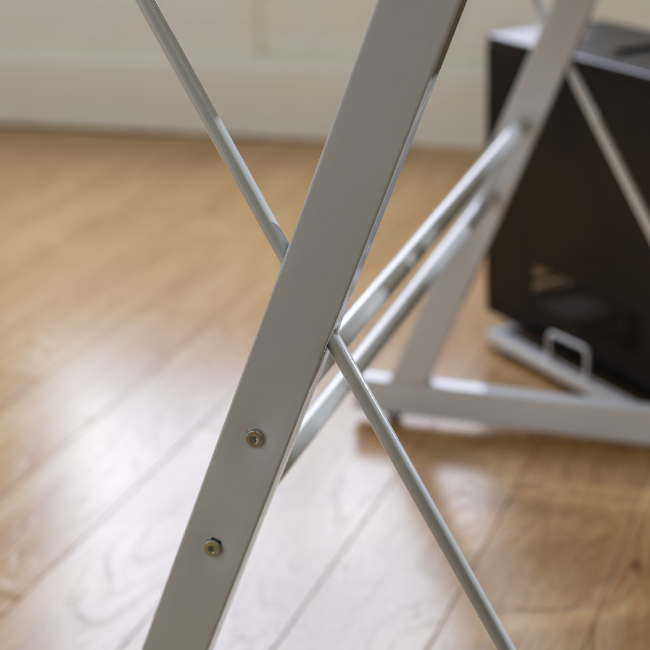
(570, 253)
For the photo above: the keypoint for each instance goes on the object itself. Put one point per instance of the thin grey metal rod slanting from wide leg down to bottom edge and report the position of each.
(419, 493)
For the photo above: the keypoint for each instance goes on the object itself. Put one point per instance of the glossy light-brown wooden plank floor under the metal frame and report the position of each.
(133, 281)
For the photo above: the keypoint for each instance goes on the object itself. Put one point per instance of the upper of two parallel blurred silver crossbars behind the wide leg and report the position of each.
(373, 298)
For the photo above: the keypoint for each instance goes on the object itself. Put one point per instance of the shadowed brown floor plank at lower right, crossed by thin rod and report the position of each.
(553, 554)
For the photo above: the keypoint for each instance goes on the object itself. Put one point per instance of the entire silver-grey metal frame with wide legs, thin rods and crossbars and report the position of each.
(306, 327)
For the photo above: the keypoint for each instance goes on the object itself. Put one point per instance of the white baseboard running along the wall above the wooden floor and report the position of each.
(258, 100)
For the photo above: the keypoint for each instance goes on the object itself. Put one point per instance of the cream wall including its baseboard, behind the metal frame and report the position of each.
(274, 68)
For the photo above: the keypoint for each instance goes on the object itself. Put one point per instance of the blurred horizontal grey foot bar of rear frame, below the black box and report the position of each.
(528, 409)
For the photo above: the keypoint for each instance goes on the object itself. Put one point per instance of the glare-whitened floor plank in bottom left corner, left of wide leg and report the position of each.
(99, 594)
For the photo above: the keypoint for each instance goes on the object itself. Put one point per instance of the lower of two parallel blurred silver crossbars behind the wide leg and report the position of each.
(336, 390)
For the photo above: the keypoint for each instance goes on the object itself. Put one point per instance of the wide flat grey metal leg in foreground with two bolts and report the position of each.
(401, 52)
